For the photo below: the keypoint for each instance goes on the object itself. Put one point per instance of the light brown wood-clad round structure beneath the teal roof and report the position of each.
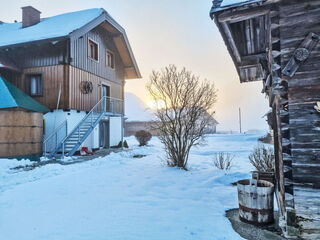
(21, 134)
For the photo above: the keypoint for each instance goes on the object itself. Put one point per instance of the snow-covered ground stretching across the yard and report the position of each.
(121, 197)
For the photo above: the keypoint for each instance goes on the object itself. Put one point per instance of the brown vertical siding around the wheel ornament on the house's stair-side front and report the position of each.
(81, 101)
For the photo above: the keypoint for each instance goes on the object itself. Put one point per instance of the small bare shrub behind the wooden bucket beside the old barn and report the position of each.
(262, 158)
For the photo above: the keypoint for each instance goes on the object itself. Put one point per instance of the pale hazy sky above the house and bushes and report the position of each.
(166, 32)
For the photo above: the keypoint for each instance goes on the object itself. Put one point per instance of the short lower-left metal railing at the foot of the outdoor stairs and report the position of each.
(51, 143)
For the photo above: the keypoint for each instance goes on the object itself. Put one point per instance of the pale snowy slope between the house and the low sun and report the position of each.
(135, 109)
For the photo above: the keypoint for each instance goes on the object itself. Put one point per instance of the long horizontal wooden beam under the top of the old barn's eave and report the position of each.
(242, 15)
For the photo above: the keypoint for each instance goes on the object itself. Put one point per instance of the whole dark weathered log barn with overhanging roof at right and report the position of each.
(277, 42)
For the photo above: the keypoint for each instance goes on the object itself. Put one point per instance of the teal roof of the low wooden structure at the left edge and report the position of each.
(12, 97)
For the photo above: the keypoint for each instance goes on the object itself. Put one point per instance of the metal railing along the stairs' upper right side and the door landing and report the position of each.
(105, 105)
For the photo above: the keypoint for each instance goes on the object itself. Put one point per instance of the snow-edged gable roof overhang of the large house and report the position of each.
(120, 39)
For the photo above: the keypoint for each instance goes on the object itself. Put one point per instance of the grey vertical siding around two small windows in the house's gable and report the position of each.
(80, 59)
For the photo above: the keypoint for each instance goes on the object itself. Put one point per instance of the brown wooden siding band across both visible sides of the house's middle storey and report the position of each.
(70, 79)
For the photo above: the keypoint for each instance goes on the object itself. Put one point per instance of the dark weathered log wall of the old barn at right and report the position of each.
(297, 19)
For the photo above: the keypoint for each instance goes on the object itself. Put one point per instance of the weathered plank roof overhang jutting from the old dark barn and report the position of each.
(251, 64)
